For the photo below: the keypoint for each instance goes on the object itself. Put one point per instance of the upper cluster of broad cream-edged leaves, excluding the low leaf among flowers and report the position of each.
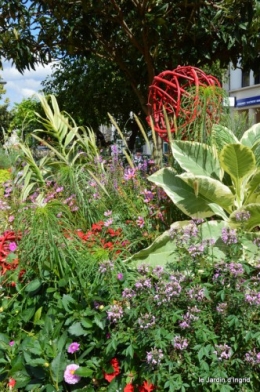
(221, 179)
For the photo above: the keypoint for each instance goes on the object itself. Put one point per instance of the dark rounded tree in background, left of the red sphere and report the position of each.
(90, 88)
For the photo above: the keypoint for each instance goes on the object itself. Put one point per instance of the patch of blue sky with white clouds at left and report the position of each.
(19, 86)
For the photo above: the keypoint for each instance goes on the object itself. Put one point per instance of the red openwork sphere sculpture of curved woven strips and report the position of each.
(179, 95)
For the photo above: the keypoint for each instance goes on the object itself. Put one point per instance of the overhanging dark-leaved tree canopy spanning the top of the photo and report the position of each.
(140, 37)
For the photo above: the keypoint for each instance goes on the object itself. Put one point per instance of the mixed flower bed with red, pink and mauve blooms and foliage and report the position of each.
(109, 282)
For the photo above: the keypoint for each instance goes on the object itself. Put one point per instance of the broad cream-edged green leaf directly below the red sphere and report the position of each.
(197, 158)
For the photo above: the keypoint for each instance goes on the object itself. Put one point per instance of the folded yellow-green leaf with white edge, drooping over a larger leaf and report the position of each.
(210, 190)
